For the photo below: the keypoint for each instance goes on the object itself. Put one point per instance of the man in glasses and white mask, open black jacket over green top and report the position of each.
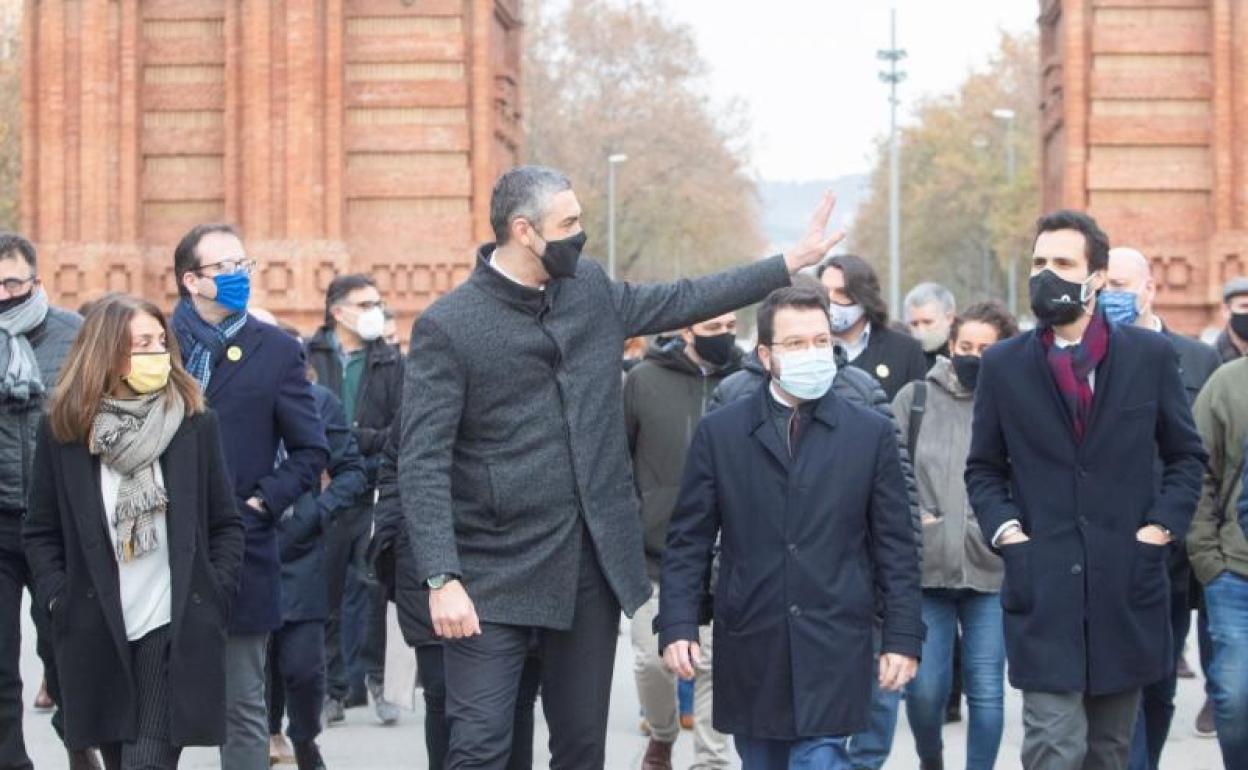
(353, 359)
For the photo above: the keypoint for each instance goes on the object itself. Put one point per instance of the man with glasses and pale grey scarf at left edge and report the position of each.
(34, 341)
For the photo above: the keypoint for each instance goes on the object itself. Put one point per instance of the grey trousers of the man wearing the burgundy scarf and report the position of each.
(1079, 732)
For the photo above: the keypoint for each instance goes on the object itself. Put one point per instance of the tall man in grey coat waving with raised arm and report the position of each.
(515, 466)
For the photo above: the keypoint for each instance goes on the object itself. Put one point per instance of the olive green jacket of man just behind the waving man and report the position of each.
(666, 397)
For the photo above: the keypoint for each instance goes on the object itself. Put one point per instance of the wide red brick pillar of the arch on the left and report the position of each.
(341, 135)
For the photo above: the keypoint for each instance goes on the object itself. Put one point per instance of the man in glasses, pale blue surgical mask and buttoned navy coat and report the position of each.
(806, 495)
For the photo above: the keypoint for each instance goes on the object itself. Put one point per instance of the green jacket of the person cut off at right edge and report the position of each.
(1215, 543)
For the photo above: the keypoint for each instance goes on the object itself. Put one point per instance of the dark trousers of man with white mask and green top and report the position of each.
(345, 546)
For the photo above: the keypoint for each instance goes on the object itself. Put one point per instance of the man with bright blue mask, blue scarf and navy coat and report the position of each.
(254, 376)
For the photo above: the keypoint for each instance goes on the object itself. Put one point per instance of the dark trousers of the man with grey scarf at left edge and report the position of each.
(14, 580)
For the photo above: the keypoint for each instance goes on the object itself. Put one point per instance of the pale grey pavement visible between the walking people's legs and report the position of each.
(363, 744)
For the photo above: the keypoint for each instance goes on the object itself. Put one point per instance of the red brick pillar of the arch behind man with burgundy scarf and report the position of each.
(1144, 102)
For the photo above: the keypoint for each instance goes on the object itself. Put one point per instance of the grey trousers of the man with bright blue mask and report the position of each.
(246, 707)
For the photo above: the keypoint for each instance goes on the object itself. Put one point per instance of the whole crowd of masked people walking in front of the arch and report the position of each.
(213, 512)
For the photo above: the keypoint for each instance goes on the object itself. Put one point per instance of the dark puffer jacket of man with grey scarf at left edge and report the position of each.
(19, 421)
